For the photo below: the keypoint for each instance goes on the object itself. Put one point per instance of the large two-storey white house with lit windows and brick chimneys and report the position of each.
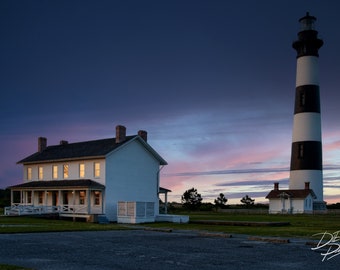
(116, 177)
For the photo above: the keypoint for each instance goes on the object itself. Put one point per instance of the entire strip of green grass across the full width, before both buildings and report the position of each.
(300, 225)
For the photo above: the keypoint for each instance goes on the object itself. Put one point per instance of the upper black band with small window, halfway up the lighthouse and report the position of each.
(307, 99)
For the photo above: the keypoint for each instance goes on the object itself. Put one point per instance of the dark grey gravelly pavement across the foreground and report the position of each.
(141, 249)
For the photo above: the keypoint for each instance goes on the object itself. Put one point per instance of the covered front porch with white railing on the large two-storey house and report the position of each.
(68, 198)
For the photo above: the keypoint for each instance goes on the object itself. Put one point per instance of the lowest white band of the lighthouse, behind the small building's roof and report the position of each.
(299, 177)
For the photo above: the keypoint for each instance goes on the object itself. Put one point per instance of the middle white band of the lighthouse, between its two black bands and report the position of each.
(307, 127)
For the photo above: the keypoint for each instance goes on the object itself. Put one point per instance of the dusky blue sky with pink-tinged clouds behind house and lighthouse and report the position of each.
(212, 82)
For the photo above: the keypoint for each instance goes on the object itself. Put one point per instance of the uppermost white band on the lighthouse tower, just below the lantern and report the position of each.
(307, 71)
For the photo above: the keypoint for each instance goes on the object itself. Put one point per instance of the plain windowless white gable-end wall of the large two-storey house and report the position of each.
(132, 175)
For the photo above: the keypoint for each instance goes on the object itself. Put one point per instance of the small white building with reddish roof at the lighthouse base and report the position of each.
(291, 201)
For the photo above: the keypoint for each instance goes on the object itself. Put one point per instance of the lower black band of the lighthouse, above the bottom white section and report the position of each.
(306, 155)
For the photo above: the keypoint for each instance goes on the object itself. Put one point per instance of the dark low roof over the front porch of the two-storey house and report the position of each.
(60, 184)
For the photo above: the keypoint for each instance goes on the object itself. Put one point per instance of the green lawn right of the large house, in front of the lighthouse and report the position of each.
(300, 225)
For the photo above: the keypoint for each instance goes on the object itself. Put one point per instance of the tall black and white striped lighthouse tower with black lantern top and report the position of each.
(306, 155)
